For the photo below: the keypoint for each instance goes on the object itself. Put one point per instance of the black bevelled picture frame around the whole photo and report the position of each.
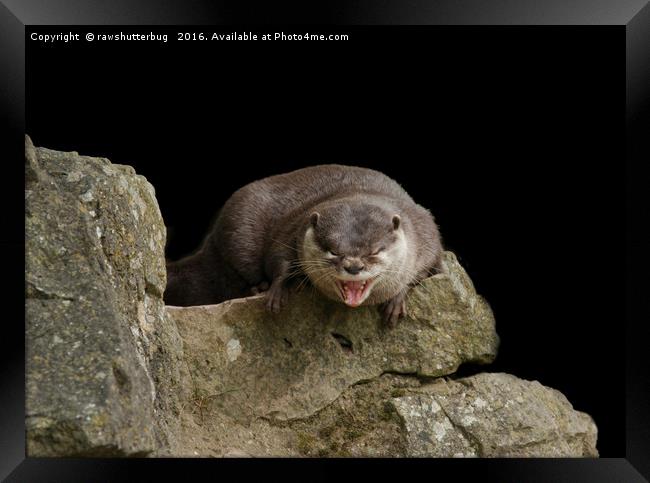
(633, 14)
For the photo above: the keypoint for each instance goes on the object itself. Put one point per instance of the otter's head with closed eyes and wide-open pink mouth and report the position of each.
(355, 252)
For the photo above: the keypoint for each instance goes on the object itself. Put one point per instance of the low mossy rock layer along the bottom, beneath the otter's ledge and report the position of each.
(404, 416)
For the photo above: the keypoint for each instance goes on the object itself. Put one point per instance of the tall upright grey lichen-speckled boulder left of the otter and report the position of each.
(99, 347)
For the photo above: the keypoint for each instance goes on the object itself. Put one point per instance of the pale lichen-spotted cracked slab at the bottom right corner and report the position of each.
(494, 415)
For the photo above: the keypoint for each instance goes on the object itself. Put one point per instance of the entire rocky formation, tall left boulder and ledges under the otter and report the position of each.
(111, 371)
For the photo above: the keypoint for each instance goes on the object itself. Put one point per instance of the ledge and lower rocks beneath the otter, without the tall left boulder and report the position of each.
(324, 380)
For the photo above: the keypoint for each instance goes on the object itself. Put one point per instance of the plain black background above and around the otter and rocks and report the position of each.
(511, 136)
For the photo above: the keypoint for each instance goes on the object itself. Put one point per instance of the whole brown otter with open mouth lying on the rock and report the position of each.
(353, 233)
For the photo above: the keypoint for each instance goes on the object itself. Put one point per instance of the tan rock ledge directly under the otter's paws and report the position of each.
(291, 365)
